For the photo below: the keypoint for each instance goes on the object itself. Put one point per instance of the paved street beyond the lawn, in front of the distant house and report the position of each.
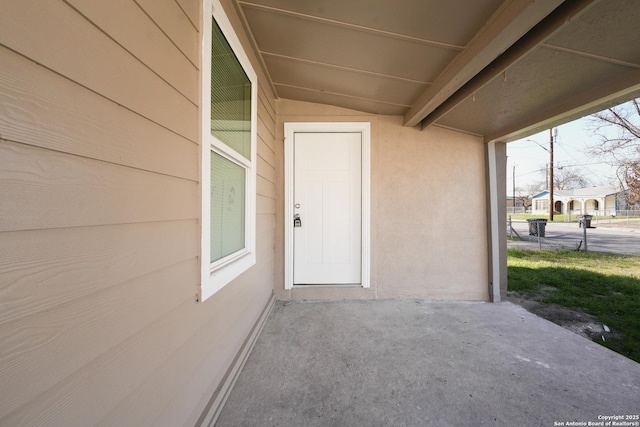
(617, 237)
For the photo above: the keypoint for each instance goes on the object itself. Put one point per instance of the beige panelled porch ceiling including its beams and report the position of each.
(497, 68)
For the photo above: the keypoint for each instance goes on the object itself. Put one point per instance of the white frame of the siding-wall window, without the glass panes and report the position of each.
(215, 275)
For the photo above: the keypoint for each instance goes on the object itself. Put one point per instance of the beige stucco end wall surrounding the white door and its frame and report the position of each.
(428, 209)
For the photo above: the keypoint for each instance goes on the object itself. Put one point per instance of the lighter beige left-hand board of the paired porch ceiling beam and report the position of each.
(507, 25)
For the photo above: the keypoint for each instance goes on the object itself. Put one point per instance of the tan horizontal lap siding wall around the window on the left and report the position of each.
(99, 218)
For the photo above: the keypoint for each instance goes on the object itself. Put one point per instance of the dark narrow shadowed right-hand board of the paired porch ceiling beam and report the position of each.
(546, 28)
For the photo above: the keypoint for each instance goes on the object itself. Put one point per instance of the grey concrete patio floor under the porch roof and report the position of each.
(419, 363)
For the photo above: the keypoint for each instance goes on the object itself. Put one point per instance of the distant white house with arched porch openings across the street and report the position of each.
(581, 201)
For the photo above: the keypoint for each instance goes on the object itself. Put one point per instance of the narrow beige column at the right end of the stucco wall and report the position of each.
(495, 178)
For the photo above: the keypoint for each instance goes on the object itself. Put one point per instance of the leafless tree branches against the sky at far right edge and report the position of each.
(619, 131)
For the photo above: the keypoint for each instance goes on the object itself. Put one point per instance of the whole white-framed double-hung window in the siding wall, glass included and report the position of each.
(228, 157)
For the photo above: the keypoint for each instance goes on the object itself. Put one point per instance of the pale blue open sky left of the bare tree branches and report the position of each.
(570, 150)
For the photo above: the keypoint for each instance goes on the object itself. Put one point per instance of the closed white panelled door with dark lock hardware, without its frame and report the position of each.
(327, 200)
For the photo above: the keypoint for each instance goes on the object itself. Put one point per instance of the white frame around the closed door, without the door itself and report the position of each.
(290, 129)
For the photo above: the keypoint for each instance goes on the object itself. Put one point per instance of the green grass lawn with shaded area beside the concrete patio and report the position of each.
(604, 285)
